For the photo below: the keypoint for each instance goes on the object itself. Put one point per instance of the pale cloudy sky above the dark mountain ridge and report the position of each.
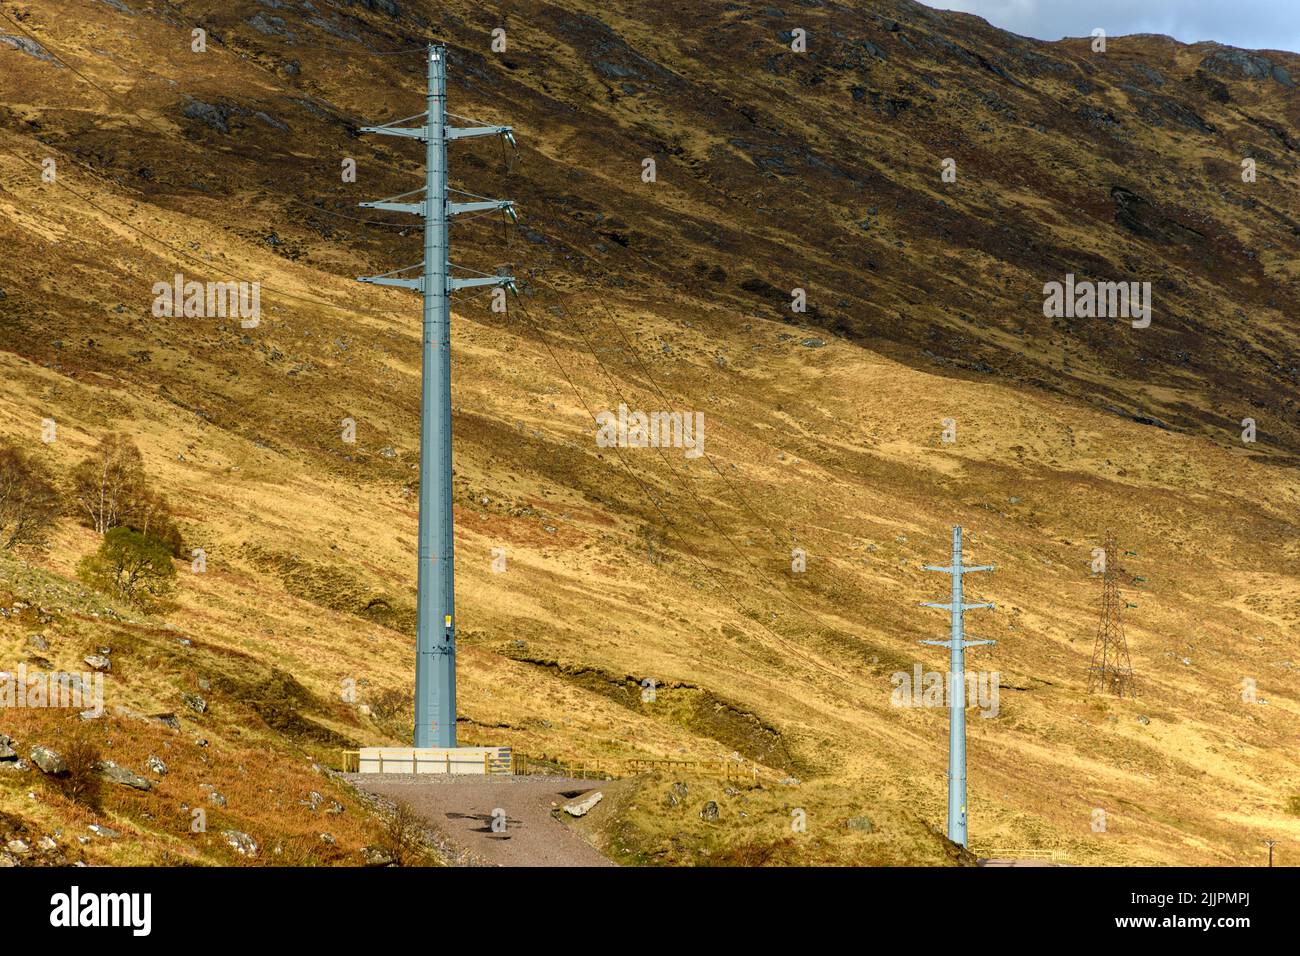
(1250, 24)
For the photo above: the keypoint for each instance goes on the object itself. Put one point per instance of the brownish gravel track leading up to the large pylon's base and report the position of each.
(462, 808)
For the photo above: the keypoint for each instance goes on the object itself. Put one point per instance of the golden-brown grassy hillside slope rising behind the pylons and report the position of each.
(775, 171)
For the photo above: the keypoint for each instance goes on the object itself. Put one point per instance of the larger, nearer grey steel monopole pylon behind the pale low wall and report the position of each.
(436, 621)
